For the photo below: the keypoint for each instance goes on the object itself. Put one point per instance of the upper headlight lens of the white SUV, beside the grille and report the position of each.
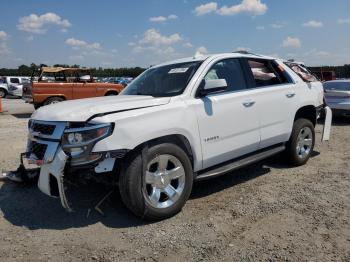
(86, 135)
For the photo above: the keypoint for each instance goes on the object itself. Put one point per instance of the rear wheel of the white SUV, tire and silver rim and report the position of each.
(301, 143)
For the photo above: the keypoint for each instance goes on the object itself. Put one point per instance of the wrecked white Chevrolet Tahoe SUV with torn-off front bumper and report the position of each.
(177, 123)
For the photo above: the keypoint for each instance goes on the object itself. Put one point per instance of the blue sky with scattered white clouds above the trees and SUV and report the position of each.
(128, 33)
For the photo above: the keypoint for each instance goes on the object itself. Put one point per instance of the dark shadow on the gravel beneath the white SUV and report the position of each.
(24, 204)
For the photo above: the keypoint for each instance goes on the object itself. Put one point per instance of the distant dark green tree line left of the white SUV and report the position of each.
(25, 70)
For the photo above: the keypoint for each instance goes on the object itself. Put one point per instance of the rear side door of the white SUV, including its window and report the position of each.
(276, 98)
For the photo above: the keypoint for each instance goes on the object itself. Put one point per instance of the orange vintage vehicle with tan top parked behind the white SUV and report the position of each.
(57, 84)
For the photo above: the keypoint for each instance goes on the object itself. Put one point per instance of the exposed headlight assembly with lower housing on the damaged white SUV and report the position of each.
(78, 142)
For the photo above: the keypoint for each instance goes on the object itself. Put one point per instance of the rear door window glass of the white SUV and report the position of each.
(267, 73)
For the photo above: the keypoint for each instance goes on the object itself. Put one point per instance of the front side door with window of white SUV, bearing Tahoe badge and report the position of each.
(228, 121)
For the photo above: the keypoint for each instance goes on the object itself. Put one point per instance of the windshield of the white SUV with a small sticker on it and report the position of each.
(169, 80)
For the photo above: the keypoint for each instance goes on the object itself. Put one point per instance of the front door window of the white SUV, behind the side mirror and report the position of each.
(231, 71)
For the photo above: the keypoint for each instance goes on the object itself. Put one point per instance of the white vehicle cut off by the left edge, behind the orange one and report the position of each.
(12, 85)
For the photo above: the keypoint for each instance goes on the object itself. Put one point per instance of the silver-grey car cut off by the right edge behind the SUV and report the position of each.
(337, 95)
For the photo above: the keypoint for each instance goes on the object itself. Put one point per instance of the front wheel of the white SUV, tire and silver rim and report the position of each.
(162, 189)
